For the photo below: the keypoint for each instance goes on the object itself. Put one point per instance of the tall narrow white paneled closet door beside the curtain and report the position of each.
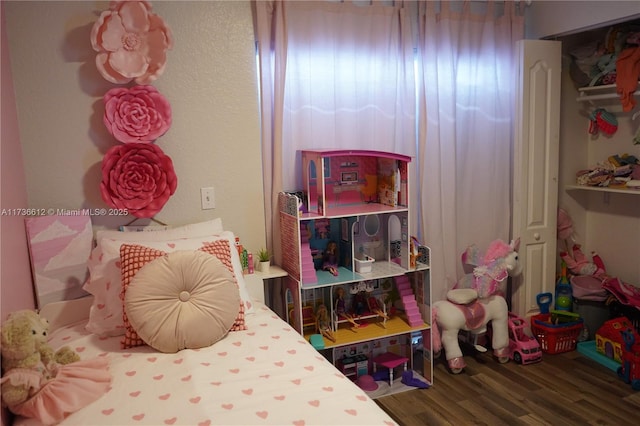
(535, 169)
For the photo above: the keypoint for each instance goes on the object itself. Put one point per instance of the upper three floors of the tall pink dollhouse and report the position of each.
(355, 205)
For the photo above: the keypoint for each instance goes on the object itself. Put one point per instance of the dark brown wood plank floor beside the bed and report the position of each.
(563, 389)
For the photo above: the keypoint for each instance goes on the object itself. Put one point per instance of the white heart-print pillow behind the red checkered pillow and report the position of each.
(105, 315)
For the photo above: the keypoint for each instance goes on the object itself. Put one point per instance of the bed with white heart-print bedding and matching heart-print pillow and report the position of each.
(261, 373)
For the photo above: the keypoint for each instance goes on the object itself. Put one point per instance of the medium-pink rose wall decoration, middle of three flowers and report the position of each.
(138, 114)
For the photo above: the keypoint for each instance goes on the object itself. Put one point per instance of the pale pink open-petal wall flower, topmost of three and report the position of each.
(131, 43)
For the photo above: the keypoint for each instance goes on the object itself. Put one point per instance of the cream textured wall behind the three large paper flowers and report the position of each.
(210, 81)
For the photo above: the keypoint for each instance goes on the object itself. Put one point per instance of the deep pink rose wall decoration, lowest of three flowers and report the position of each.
(138, 177)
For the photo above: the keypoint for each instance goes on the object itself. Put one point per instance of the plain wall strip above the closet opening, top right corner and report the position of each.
(546, 18)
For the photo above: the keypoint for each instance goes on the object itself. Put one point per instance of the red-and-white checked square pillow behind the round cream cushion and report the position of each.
(134, 256)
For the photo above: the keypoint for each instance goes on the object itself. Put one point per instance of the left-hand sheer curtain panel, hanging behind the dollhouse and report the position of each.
(333, 75)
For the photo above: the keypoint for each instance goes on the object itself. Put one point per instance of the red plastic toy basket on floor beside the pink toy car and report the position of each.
(555, 339)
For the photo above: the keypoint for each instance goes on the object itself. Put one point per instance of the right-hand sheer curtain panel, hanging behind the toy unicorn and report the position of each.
(467, 95)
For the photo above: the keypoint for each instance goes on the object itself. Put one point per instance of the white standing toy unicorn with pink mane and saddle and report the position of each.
(476, 300)
